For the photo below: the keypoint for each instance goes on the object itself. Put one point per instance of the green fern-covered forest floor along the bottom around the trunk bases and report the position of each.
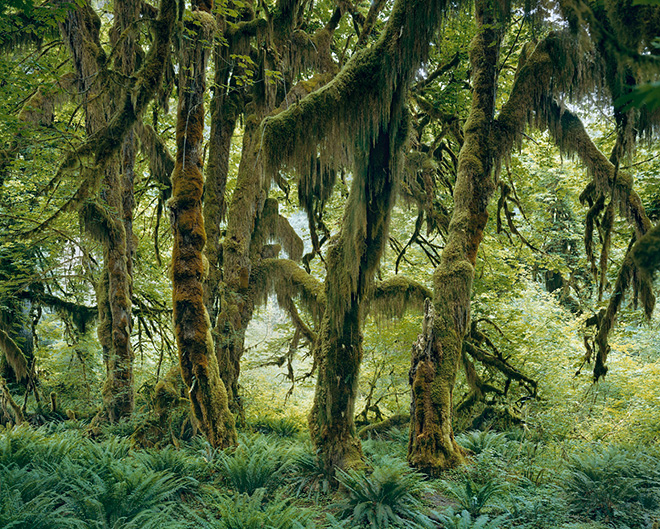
(56, 477)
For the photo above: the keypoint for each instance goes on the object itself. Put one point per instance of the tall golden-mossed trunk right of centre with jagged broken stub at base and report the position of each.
(432, 447)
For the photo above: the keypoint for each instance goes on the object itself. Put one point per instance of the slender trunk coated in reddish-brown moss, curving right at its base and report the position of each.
(199, 367)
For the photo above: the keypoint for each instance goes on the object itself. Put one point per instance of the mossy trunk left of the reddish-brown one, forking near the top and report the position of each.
(112, 221)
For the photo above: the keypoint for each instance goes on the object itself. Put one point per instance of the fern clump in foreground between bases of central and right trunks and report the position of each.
(390, 496)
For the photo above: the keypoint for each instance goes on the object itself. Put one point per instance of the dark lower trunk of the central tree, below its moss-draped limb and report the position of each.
(352, 262)
